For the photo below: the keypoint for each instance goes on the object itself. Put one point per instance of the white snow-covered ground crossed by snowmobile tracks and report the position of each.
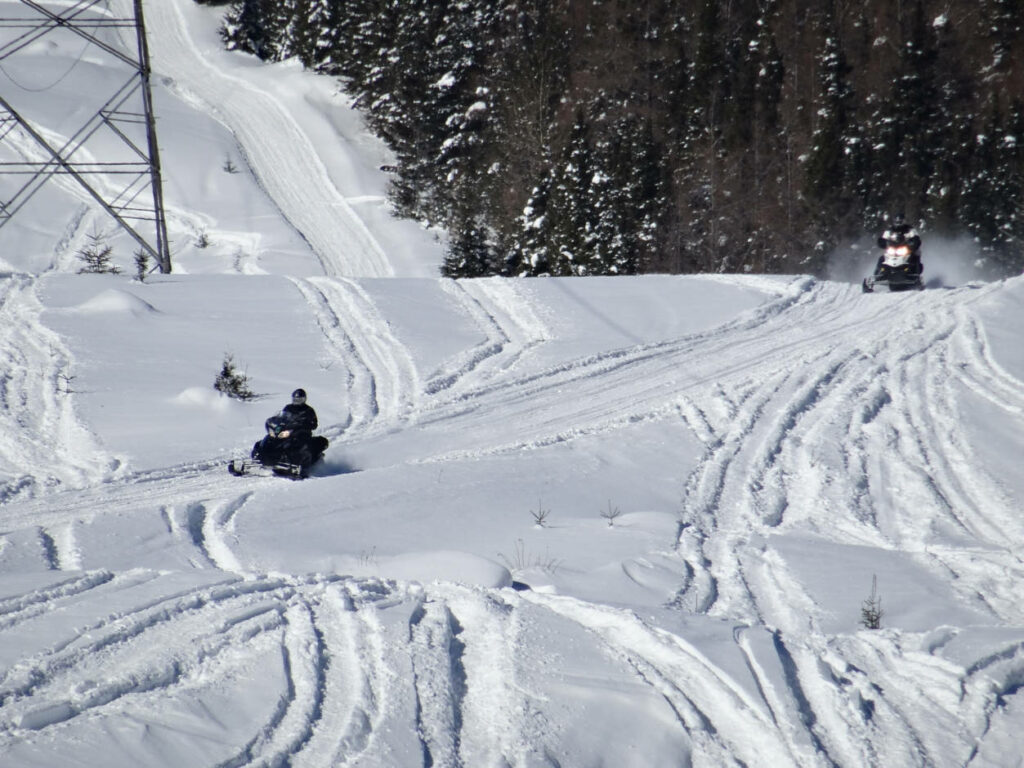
(562, 523)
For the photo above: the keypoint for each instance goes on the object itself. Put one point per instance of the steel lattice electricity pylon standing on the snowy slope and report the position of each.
(118, 186)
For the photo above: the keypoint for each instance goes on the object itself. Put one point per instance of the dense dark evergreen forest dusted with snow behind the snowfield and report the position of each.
(623, 137)
